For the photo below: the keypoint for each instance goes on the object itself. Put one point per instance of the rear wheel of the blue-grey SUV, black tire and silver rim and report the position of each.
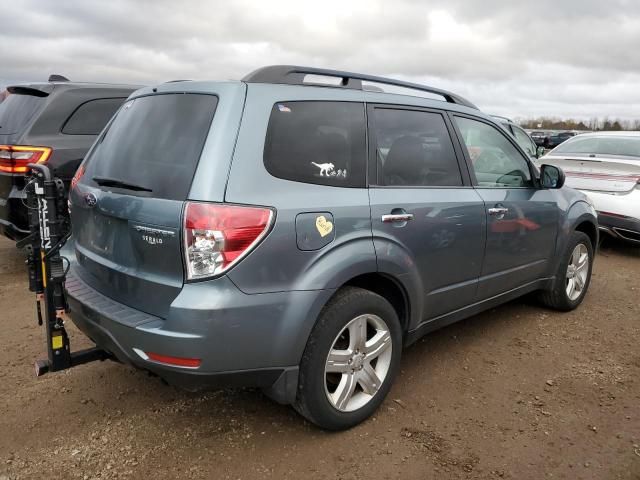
(344, 314)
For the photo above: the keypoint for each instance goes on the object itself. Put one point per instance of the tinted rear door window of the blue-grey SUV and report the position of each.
(413, 148)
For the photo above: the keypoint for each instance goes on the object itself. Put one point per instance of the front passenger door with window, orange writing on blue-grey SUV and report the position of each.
(522, 220)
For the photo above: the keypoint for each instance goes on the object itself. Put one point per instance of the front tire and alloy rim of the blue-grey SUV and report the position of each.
(558, 297)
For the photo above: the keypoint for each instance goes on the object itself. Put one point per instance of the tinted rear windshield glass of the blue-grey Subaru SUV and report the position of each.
(154, 142)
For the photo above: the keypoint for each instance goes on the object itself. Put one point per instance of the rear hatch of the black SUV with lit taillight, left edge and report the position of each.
(17, 111)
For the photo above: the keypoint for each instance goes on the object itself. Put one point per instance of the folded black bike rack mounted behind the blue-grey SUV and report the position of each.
(49, 230)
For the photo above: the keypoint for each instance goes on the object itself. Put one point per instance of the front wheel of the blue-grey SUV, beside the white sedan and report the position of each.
(573, 275)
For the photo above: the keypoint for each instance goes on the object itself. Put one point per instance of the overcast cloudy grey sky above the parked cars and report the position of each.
(568, 58)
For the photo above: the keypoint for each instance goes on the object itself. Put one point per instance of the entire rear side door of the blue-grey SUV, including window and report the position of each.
(425, 216)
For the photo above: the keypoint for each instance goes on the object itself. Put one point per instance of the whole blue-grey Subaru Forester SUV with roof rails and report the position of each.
(294, 230)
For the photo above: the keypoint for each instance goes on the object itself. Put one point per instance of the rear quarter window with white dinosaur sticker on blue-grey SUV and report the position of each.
(317, 142)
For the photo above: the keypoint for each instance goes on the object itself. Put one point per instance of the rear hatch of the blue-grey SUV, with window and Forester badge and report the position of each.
(126, 206)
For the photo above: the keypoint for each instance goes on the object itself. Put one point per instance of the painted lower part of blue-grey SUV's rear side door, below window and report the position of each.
(444, 240)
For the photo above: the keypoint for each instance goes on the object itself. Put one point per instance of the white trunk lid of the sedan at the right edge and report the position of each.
(611, 174)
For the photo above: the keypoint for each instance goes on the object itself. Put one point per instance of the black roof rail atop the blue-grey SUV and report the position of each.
(294, 75)
